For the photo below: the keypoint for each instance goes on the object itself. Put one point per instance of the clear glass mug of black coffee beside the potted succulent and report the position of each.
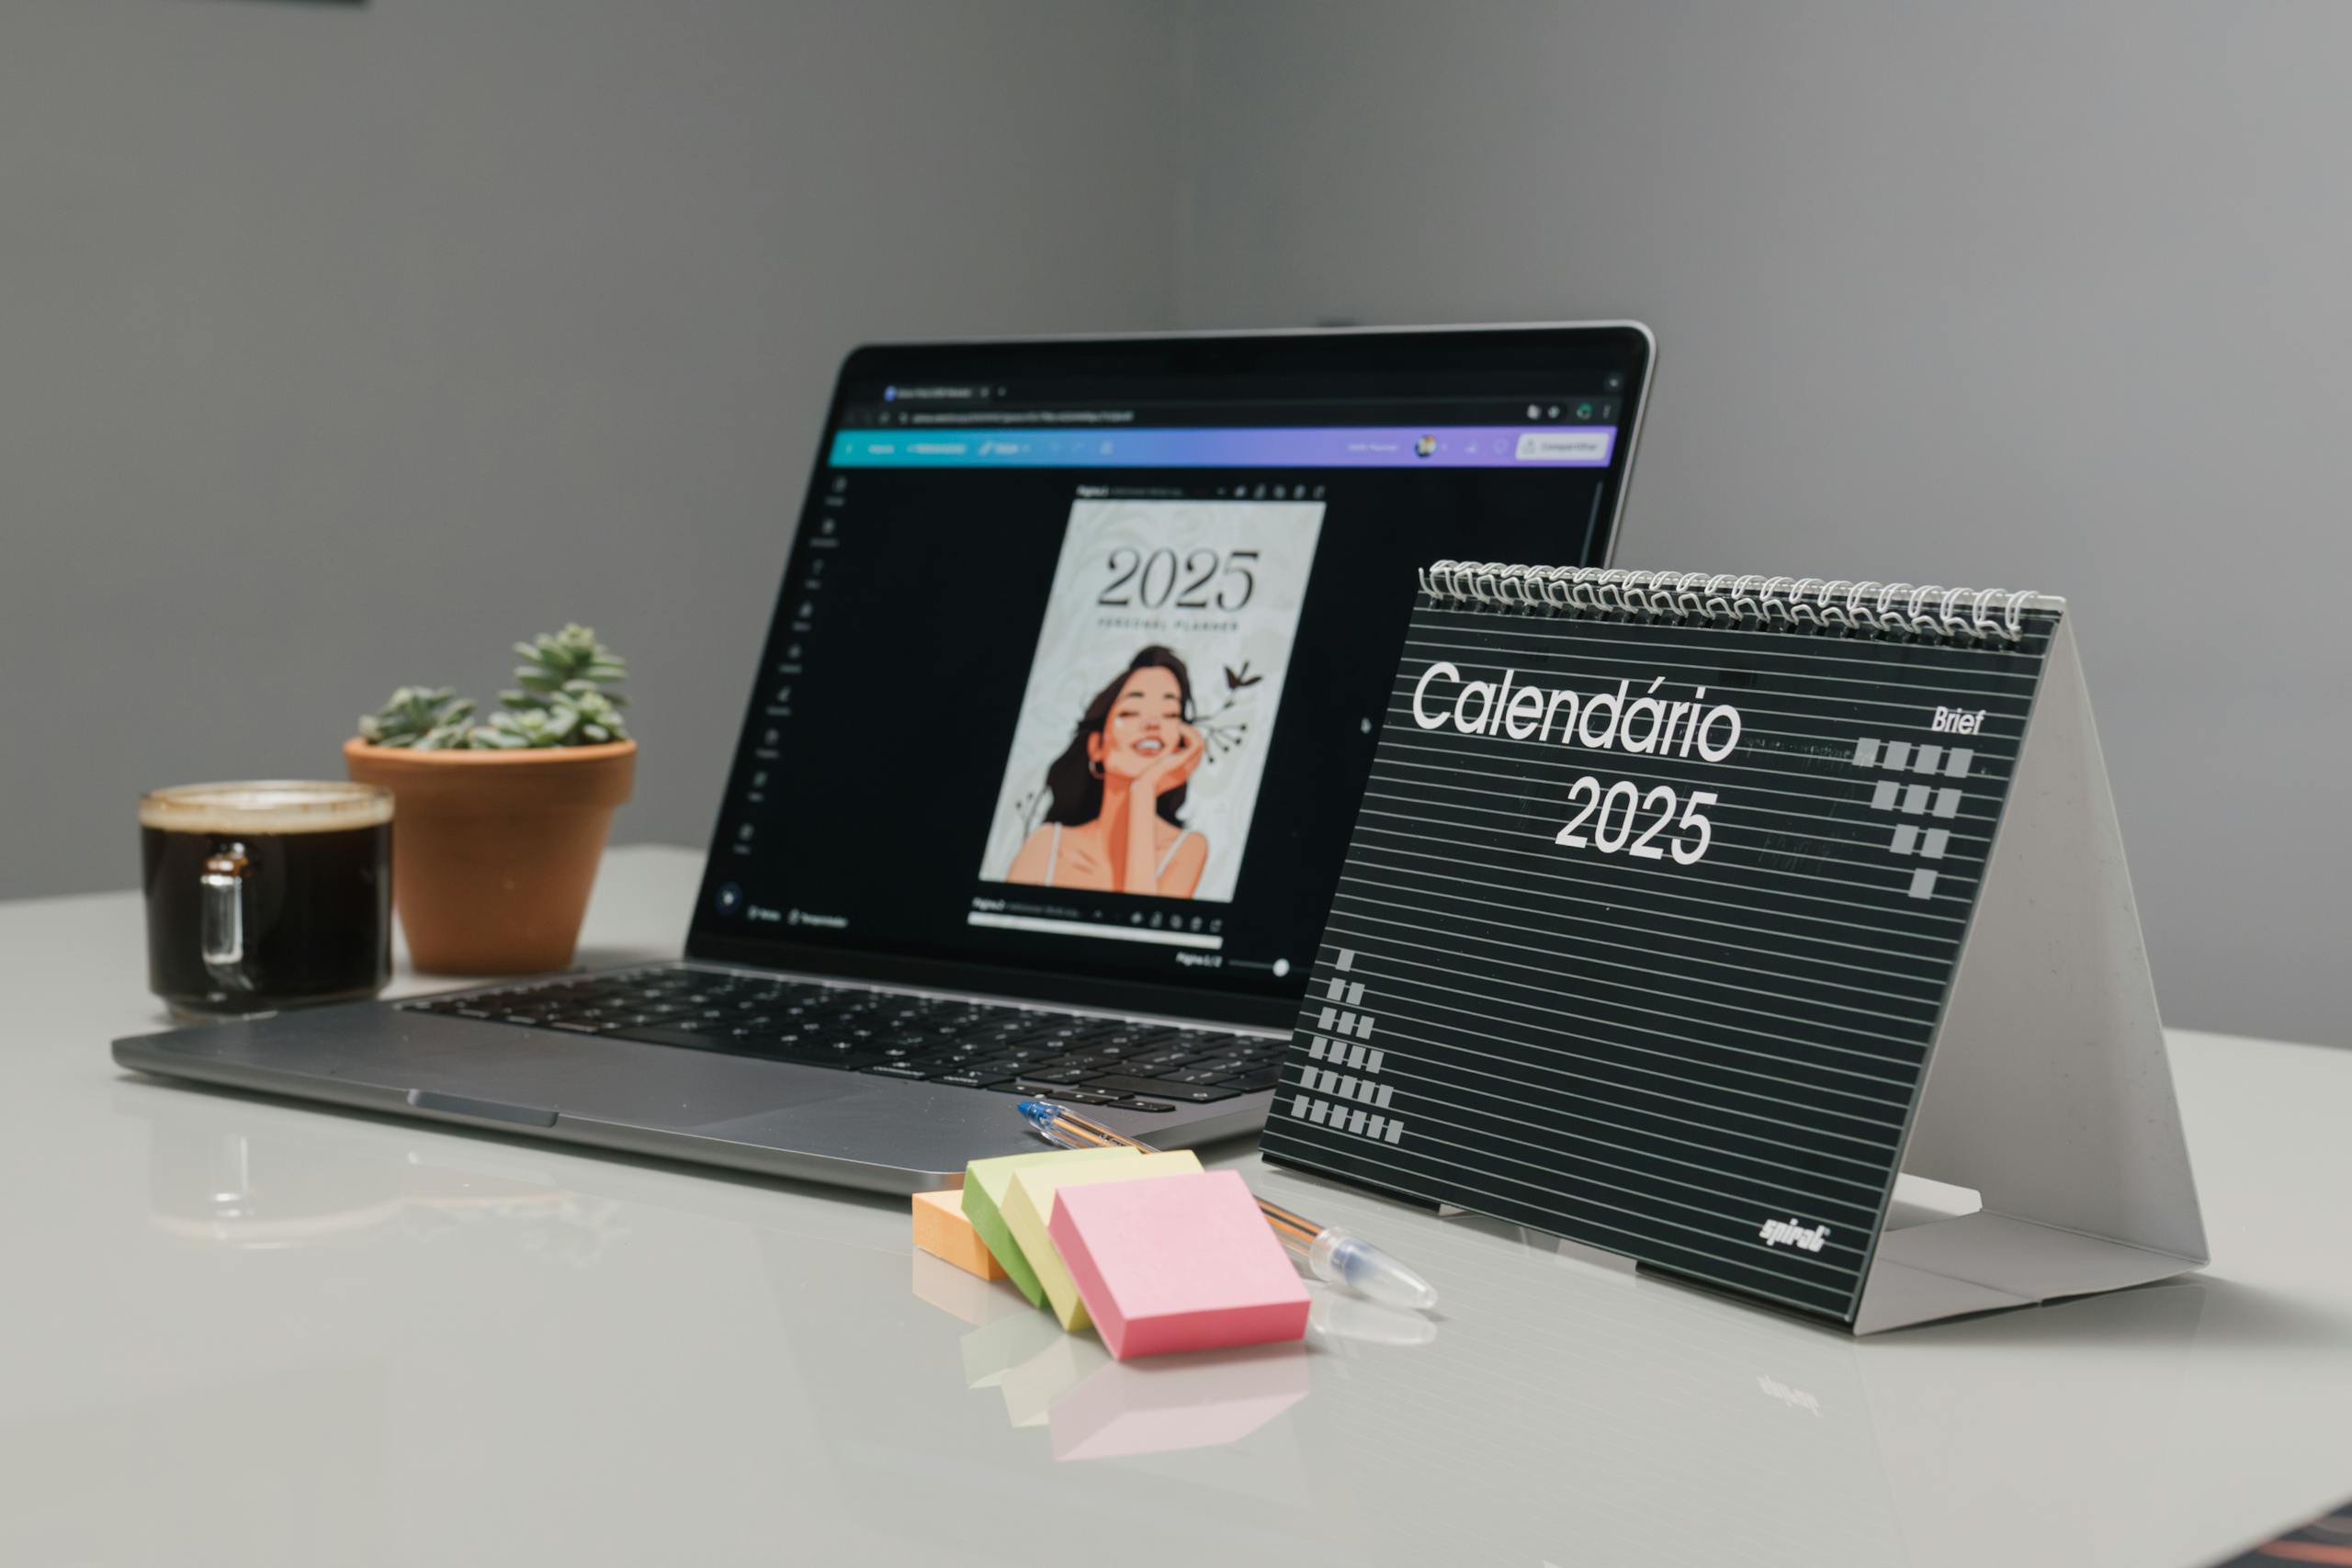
(267, 894)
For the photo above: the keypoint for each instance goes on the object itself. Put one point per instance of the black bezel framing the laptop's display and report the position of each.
(1304, 351)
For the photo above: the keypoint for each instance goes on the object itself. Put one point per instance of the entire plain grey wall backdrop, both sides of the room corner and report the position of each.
(340, 349)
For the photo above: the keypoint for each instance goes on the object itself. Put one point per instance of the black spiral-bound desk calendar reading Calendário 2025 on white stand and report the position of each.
(1688, 911)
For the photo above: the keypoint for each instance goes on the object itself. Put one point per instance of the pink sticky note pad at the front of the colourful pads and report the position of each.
(1177, 1264)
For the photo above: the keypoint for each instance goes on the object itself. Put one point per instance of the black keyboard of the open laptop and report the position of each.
(970, 1045)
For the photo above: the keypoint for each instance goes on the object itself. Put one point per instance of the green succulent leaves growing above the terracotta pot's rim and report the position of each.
(563, 699)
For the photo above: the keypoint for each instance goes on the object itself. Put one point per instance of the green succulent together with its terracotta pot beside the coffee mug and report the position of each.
(497, 829)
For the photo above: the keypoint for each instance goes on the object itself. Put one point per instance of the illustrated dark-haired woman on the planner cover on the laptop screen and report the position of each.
(1116, 817)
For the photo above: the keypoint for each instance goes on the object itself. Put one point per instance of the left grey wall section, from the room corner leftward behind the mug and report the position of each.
(342, 349)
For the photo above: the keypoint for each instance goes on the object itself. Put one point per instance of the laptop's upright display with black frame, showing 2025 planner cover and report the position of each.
(1083, 645)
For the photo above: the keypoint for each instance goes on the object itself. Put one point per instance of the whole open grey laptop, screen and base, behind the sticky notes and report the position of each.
(1053, 756)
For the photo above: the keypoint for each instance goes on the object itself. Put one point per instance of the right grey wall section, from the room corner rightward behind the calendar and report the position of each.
(2026, 295)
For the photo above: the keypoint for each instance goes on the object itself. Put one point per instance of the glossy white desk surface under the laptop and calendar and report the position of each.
(241, 1332)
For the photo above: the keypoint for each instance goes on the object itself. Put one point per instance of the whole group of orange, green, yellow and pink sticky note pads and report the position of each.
(1147, 1247)
